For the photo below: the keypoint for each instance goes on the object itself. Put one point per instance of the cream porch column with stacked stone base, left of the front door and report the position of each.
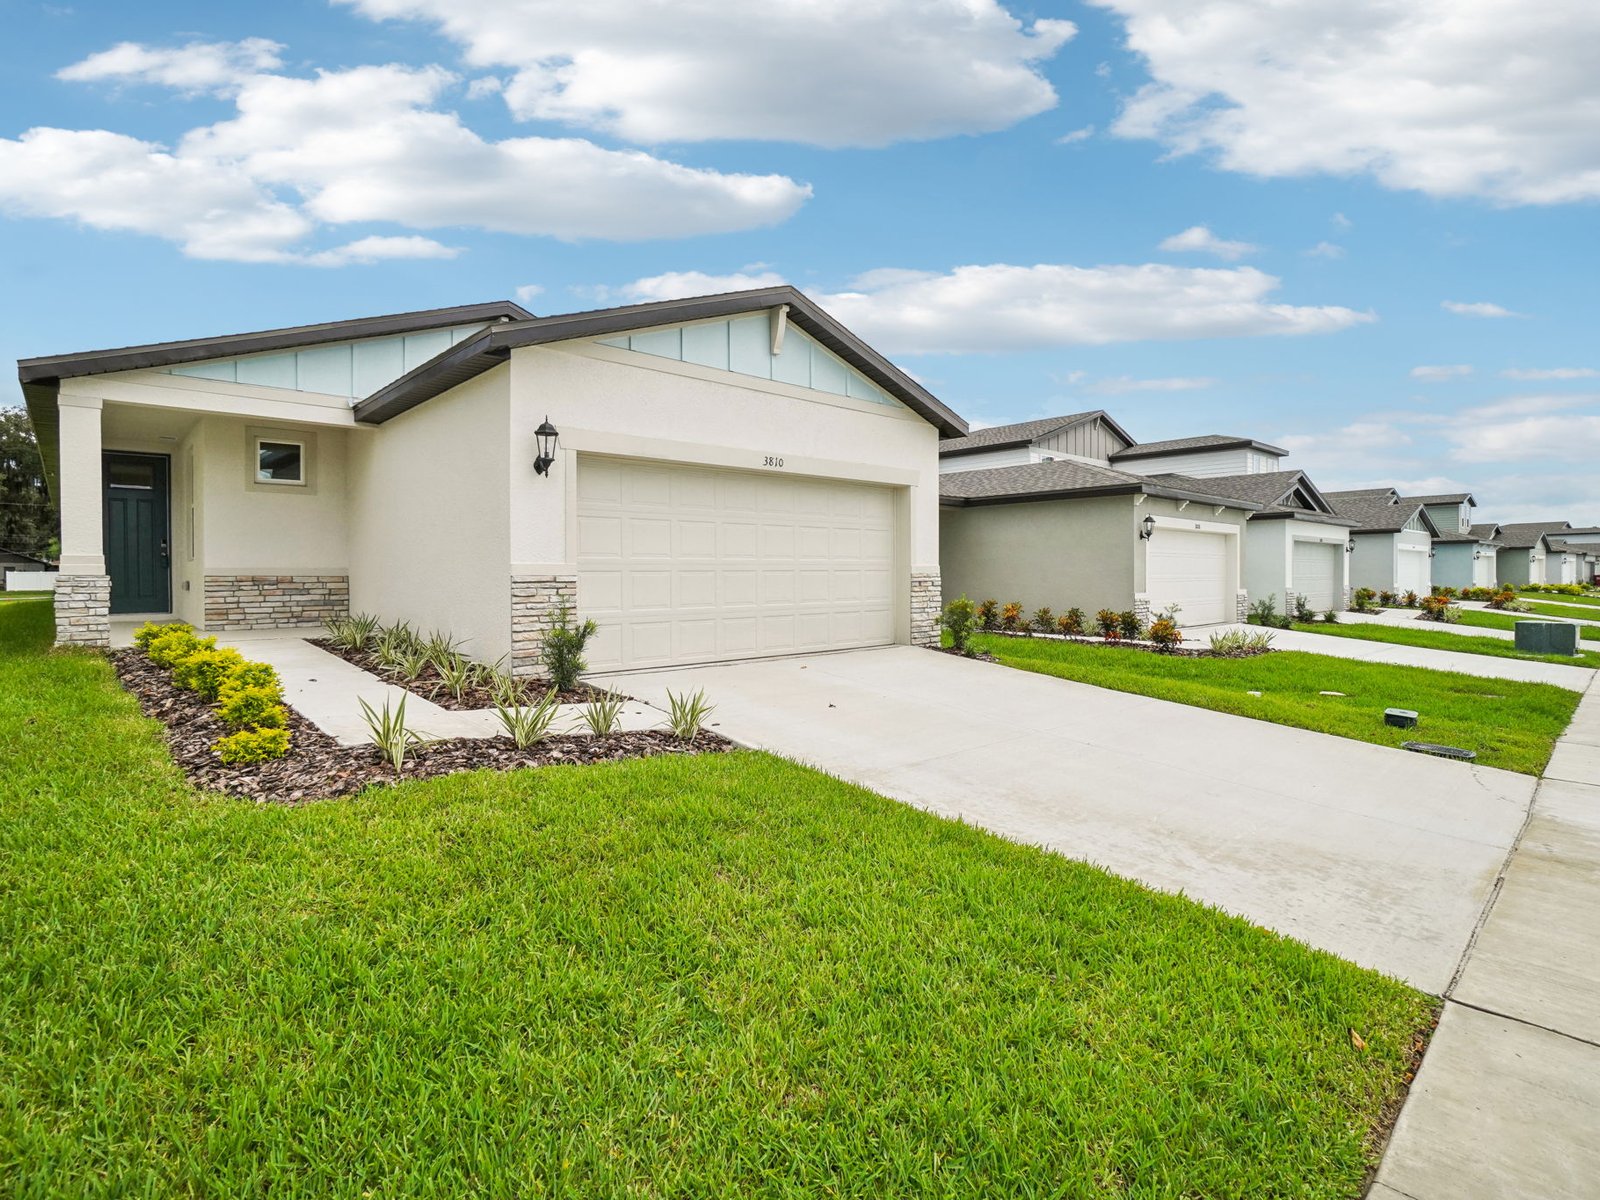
(82, 586)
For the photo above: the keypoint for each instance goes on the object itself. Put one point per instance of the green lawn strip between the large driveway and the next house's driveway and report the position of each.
(1511, 726)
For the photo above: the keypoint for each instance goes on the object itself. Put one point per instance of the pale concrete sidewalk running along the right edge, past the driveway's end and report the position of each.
(1508, 1100)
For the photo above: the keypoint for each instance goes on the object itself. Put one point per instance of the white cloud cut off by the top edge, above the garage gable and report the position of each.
(868, 73)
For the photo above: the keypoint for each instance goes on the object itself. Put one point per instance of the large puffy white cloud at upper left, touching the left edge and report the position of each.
(367, 145)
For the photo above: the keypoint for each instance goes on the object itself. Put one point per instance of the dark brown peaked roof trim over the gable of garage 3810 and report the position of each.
(494, 346)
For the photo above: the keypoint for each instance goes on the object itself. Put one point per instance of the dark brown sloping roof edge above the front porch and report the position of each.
(198, 350)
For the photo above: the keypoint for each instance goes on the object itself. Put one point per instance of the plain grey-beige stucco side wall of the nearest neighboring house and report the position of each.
(1050, 553)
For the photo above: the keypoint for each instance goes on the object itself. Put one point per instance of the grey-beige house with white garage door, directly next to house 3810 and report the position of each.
(1071, 534)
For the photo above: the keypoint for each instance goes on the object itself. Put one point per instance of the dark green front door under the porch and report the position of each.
(138, 553)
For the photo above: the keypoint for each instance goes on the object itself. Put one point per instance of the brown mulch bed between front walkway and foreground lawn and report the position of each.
(318, 767)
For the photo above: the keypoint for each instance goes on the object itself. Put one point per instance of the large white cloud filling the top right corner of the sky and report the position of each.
(1442, 97)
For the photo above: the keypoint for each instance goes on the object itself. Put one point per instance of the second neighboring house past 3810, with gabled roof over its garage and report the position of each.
(1295, 543)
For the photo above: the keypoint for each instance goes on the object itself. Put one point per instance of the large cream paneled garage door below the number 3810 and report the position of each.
(698, 566)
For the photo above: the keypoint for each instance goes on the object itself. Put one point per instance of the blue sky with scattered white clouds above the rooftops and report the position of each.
(1367, 233)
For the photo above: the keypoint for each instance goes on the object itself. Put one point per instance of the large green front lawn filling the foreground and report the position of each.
(721, 977)
